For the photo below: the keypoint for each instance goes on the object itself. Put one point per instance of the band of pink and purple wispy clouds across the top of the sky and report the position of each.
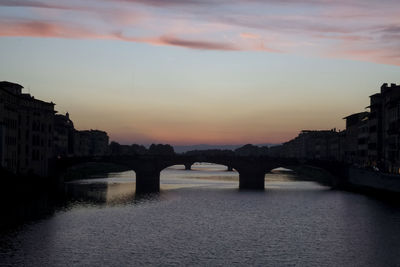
(318, 27)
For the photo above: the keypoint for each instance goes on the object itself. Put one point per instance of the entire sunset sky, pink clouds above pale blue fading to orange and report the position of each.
(202, 71)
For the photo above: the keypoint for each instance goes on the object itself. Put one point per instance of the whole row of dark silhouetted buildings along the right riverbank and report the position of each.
(371, 139)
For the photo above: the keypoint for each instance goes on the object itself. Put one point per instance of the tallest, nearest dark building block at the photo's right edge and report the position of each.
(377, 131)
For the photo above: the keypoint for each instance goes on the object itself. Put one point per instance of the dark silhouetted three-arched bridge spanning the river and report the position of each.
(251, 169)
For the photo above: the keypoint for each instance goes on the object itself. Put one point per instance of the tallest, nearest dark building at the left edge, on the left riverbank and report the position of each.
(27, 126)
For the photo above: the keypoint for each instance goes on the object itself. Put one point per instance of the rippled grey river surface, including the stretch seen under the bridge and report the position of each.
(201, 218)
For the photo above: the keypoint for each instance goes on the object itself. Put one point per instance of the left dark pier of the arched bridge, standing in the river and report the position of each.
(147, 181)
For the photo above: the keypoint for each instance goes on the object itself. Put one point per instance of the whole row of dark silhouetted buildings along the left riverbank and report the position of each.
(32, 134)
